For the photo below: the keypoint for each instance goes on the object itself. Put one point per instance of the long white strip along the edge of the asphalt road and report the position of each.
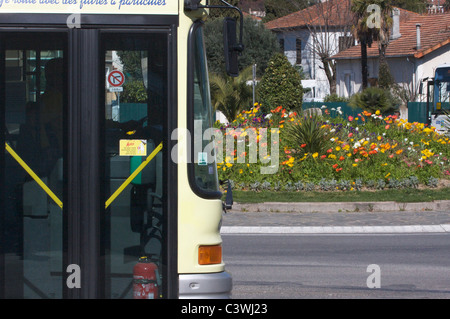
(444, 228)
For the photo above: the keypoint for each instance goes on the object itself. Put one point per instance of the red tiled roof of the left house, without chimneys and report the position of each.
(331, 13)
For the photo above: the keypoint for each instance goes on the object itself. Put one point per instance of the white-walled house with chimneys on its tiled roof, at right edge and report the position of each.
(418, 44)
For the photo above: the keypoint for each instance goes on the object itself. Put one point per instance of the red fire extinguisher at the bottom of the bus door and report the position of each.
(145, 284)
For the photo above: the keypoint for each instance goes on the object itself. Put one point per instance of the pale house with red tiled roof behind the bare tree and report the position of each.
(309, 37)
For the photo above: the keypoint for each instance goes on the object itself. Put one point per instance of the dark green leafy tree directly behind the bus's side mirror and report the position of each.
(260, 45)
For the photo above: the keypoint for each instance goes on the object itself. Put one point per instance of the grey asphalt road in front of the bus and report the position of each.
(294, 266)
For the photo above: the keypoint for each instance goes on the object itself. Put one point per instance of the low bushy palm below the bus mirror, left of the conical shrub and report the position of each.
(230, 94)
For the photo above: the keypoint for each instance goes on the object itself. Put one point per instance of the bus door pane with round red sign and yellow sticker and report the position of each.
(135, 117)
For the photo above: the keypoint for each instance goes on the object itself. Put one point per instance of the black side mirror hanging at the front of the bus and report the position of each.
(231, 47)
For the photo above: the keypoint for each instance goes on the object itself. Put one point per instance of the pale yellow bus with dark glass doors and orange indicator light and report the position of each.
(100, 197)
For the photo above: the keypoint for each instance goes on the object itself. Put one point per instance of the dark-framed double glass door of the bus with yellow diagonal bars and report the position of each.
(84, 173)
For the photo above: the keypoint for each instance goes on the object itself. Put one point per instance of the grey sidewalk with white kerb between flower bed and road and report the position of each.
(373, 217)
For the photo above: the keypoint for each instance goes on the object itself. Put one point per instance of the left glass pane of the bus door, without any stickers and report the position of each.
(33, 107)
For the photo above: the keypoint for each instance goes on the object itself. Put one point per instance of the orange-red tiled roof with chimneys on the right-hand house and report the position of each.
(435, 33)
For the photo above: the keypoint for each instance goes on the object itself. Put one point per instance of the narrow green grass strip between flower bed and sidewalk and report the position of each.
(398, 195)
